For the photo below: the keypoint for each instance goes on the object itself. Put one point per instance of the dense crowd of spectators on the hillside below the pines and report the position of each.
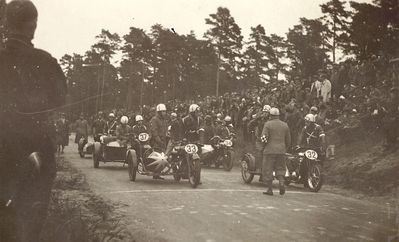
(350, 93)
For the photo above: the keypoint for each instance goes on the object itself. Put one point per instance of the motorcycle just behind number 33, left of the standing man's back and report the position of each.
(218, 153)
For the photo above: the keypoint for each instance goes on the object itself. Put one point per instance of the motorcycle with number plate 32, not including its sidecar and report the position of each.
(305, 167)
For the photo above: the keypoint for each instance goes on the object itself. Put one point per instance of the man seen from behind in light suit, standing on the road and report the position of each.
(276, 135)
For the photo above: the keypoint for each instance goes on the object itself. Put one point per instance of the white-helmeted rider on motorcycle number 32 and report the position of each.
(312, 135)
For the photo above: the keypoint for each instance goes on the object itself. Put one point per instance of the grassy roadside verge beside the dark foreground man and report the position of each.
(76, 214)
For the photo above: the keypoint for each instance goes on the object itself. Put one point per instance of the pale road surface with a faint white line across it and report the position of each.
(223, 208)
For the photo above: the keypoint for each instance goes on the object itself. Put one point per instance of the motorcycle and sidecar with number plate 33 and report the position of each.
(183, 163)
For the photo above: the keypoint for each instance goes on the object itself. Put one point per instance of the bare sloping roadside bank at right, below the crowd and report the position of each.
(363, 165)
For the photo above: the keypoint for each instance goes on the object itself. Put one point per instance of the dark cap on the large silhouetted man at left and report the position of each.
(19, 12)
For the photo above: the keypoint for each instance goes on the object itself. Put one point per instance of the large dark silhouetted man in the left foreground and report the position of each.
(31, 81)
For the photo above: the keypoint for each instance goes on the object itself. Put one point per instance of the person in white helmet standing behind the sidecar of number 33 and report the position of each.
(158, 128)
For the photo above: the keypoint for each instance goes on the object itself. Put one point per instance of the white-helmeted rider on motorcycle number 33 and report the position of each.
(192, 124)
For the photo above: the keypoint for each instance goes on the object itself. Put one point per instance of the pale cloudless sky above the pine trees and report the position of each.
(70, 26)
